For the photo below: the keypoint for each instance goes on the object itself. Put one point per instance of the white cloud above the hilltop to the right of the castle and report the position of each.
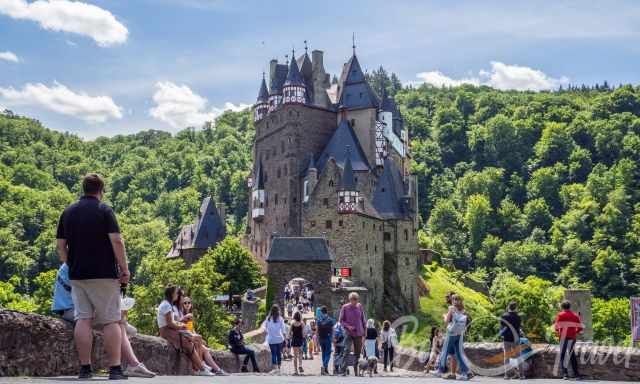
(500, 76)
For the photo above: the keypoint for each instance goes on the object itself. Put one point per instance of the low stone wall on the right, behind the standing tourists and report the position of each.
(595, 362)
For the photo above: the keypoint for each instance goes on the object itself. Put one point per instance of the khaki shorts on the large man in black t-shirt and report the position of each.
(97, 299)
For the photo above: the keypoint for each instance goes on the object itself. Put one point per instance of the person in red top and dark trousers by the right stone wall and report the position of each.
(568, 325)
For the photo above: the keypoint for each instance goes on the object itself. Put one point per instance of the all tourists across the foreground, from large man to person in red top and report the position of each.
(90, 291)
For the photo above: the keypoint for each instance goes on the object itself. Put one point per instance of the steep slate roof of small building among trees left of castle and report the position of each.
(205, 233)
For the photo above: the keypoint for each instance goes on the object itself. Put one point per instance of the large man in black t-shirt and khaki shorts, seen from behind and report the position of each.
(89, 242)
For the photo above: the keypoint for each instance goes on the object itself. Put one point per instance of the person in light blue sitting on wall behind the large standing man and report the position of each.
(63, 306)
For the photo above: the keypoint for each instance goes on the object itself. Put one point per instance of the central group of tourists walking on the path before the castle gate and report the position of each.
(351, 341)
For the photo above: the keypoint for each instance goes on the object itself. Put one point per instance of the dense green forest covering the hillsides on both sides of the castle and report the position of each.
(517, 190)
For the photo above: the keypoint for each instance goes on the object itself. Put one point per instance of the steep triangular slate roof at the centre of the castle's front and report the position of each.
(344, 137)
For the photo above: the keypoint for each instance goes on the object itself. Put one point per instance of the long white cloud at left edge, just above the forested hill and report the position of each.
(60, 99)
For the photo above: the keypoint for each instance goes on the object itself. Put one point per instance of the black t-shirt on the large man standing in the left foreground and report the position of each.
(86, 225)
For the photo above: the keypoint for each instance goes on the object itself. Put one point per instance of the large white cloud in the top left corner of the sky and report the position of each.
(69, 16)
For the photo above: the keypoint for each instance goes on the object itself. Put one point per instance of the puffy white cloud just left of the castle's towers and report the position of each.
(180, 107)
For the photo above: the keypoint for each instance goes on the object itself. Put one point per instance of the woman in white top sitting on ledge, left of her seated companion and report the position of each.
(174, 331)
